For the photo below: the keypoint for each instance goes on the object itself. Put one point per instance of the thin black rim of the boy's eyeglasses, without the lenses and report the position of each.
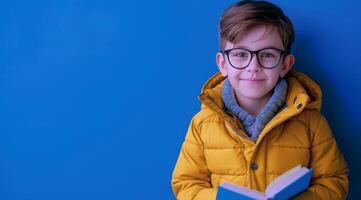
(282, 56)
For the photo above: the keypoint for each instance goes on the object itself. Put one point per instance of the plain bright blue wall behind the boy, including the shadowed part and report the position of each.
(96, 96)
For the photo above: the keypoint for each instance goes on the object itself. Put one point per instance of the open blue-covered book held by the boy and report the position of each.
(284, 186)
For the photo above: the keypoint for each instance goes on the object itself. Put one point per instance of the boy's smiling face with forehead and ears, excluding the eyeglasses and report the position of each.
(255, 82)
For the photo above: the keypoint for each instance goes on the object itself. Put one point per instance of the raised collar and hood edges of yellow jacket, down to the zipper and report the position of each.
(302, 93)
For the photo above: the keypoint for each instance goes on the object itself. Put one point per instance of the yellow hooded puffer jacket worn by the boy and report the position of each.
(217, 149)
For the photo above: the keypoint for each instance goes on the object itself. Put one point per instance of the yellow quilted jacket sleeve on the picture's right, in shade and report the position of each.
(330, 175)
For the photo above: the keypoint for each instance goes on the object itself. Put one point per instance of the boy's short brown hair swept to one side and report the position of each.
(244, 15)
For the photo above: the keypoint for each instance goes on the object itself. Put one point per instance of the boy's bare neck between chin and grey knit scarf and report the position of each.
(251, 105)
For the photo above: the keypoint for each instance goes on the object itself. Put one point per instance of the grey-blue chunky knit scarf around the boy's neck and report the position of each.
(254, 125)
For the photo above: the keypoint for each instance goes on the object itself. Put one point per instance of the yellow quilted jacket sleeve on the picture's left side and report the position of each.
(191, 177)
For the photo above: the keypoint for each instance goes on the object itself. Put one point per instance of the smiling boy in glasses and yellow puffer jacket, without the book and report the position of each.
(258, 119)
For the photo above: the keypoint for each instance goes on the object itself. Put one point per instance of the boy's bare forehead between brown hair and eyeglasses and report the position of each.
(259, 37)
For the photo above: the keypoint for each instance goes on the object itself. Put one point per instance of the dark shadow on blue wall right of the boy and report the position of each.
(344, 126)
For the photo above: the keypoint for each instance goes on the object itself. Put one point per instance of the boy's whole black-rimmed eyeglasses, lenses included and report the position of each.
(268, 58)
